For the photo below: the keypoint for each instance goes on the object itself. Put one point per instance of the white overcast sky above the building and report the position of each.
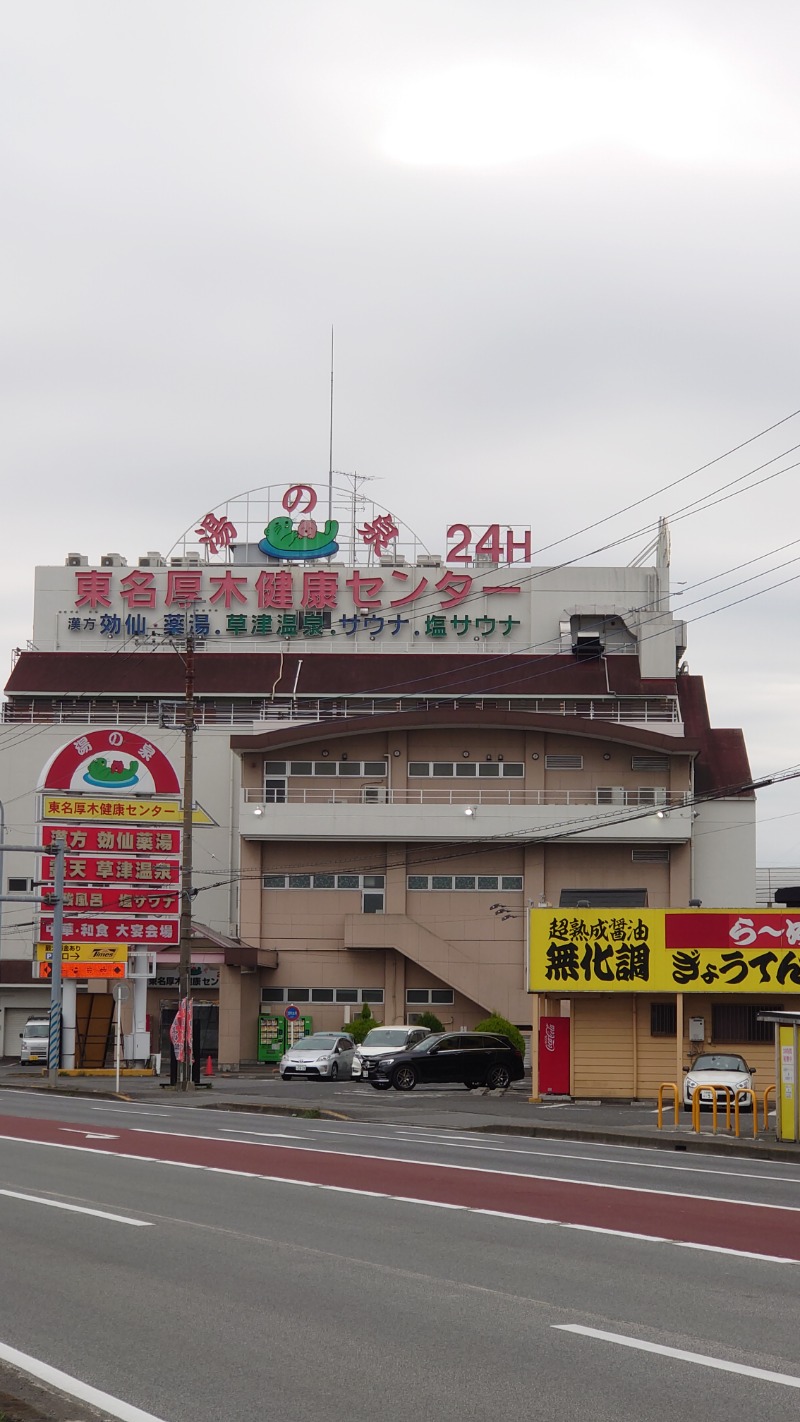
(559, 245)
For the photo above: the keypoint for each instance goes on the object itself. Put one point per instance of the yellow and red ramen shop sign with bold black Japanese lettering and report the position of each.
(664, 951)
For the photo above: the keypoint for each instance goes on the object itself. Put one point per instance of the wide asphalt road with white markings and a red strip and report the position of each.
(227, 1266)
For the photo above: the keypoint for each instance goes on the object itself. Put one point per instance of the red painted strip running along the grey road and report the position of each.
(755, 1229)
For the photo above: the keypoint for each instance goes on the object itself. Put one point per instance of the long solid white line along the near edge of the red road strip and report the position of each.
(397, 1199)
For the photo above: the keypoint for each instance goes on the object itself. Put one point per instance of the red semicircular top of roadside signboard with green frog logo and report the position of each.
(113, 761)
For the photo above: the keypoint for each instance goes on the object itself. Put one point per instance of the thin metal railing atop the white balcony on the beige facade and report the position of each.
(380, 796)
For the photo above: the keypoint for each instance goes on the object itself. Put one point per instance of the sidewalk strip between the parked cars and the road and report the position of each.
(511, 1113)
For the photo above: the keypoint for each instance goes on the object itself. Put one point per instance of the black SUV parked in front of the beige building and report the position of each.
(474, 1059)
